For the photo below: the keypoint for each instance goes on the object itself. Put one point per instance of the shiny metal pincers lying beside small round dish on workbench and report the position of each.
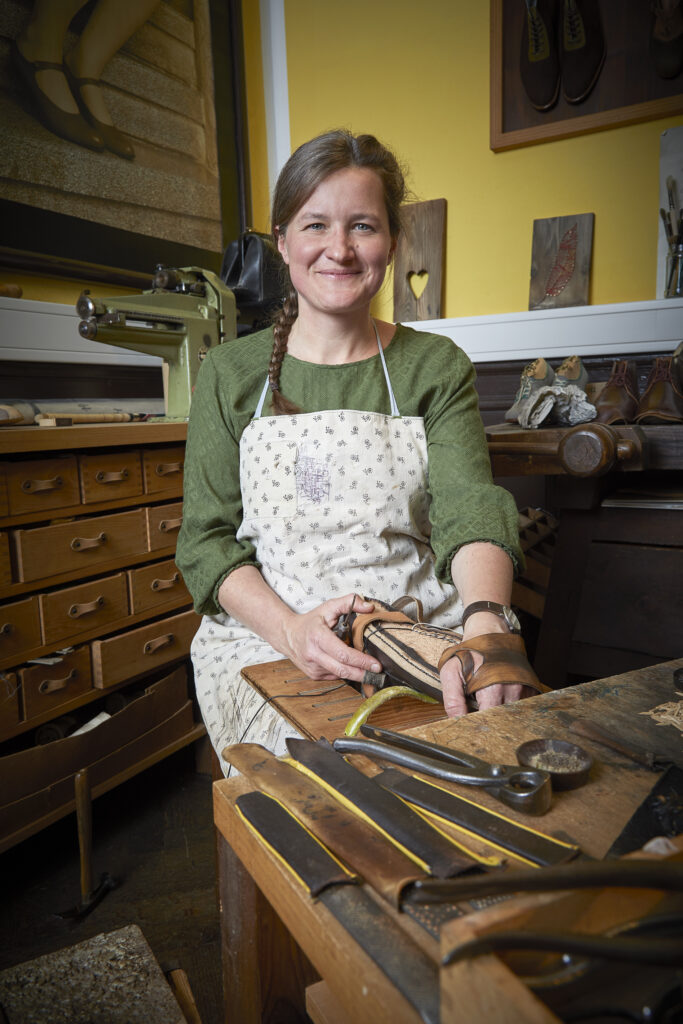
(527, 790)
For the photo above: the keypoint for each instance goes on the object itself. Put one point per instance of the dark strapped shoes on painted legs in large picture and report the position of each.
(83, 129)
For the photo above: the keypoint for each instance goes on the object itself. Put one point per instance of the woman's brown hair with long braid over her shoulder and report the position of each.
(304, 173)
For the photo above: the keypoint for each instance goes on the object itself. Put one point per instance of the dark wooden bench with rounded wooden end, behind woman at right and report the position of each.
(615, 599)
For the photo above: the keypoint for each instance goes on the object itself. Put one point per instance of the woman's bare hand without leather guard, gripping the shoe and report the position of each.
(318, 652)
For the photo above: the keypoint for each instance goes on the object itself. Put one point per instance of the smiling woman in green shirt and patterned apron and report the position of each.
(334, 458)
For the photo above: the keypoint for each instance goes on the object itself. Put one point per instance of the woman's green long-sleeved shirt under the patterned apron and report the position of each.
(432, 378)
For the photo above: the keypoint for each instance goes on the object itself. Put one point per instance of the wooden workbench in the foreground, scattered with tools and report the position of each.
(258, 979)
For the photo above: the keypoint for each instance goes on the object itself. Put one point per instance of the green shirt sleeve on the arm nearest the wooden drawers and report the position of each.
(208, 549)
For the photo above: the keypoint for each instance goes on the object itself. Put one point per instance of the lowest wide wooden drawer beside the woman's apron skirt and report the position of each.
(136, 652)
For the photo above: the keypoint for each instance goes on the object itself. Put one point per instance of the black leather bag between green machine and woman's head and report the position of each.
(252, 269)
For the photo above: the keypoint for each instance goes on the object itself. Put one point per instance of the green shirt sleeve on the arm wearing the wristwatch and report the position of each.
(467, 506)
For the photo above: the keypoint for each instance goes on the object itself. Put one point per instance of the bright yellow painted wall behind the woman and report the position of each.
(417, 76)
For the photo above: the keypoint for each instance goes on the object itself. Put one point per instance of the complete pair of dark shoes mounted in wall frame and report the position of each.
(569, 49)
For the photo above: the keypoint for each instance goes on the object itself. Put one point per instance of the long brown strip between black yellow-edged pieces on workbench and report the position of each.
(388, 870)
